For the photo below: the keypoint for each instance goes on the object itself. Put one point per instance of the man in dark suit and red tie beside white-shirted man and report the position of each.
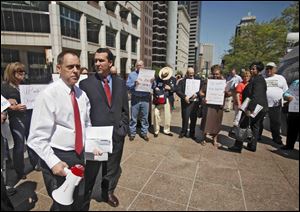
(109, 107)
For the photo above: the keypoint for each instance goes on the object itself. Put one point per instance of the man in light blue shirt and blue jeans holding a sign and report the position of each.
(139, 101)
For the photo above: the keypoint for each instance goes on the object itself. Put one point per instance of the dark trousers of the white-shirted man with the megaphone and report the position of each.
(53, 182)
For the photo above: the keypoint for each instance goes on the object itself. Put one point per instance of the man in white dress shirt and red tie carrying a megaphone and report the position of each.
(55, 125)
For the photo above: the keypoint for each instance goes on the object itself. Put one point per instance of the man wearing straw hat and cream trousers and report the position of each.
(163, 89)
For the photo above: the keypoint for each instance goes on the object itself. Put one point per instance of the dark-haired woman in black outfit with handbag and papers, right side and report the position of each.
(256, 91)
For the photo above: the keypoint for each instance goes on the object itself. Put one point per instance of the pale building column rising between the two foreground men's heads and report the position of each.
(83, 41)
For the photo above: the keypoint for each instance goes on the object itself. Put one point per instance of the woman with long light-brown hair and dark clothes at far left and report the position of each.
(14, 75)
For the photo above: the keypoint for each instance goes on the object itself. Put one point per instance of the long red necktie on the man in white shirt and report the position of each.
(78, 129)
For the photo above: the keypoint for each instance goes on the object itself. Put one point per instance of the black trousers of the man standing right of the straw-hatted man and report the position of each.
(189, 112)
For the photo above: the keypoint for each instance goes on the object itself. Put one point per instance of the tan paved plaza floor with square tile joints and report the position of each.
(168, 173)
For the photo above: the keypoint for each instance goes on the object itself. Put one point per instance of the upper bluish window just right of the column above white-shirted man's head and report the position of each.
(69, 20)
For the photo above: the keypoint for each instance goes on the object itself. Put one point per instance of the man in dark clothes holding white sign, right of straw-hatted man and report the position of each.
(190, 101)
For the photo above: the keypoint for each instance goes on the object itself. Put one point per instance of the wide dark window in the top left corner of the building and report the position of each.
(25, 16)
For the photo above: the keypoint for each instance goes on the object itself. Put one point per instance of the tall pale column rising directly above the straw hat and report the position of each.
(171, 37)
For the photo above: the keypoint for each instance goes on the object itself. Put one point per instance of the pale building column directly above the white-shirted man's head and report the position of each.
(55, 32)
